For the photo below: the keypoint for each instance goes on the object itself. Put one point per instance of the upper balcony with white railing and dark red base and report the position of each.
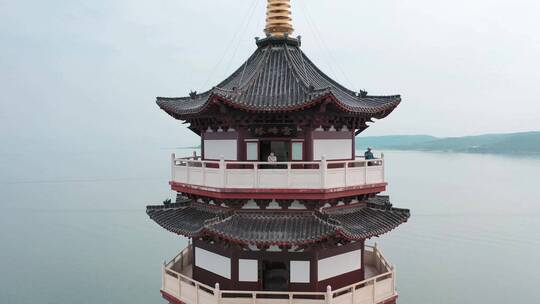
(293, 180)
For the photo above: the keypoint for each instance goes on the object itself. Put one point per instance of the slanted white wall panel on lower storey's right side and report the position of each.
(339, 264)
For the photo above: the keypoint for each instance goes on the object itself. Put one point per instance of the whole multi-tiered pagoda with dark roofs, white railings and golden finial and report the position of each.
(278, 207)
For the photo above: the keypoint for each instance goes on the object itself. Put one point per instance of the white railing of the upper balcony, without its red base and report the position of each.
(278, 175)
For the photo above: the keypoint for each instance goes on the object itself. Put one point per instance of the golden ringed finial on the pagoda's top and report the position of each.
(278, 18)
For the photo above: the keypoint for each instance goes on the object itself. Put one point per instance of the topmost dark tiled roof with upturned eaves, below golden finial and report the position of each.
(279, 77)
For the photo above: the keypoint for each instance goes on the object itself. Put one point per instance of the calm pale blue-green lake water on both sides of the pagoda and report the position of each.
(73, 227)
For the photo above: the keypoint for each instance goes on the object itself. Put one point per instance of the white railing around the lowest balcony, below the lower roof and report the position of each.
(370, 291)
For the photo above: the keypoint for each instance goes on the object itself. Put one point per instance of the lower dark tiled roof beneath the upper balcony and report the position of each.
(275, 227)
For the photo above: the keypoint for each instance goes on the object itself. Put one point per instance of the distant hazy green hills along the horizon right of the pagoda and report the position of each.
(512, 143)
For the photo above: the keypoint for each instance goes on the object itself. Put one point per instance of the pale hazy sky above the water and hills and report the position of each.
(86, 72)
